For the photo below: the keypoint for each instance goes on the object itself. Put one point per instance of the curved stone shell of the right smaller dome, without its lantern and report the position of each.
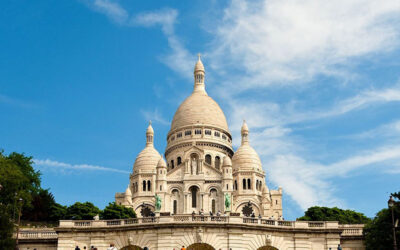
(246, 158)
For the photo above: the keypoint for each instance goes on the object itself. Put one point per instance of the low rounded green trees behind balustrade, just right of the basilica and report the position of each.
(334, 214)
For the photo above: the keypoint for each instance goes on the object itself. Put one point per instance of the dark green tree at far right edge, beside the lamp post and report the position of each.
(378, 232)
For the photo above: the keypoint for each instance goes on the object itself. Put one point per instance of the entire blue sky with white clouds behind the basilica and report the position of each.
(317, 82)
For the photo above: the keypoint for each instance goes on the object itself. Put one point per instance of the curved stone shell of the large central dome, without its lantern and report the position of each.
(199, 108)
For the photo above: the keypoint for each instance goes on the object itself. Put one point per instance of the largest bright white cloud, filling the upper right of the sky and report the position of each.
(290, 42)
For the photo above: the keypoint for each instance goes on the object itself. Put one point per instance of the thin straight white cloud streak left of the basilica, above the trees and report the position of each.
(56, 165)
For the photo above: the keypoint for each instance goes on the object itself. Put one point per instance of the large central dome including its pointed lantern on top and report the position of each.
(199, 108)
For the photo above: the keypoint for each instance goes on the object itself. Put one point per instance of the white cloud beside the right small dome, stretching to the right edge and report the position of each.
(310, 183)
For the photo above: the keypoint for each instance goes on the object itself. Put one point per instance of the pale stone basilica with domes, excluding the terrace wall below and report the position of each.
(201, 172)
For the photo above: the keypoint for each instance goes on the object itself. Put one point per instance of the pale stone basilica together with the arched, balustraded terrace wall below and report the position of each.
(201, 194)
